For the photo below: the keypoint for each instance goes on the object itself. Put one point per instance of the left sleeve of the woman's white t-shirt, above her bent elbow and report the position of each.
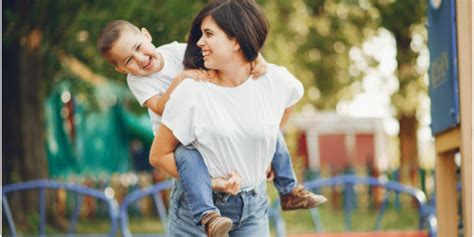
(180, 112)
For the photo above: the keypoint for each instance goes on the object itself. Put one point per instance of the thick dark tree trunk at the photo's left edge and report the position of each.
(24, 155)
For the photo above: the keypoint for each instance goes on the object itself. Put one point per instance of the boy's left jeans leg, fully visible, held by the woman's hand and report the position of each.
(196, 182)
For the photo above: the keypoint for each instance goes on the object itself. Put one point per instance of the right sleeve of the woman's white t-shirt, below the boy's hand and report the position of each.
(292, 87)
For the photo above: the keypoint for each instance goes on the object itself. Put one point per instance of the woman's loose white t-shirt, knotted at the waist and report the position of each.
(234, 129)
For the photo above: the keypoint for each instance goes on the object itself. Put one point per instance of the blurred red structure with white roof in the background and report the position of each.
(330, 141)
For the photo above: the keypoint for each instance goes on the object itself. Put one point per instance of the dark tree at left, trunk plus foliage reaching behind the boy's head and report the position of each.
(37, 35)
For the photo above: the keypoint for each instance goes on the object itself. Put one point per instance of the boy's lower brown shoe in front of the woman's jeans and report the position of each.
(216, 225)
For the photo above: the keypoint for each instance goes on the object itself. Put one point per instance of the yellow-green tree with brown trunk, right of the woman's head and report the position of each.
(313, 38)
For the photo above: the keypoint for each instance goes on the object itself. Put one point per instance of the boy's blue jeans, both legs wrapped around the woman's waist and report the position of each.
(196, 184)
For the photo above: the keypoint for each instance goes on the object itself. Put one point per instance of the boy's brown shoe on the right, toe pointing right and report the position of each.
(300, 198)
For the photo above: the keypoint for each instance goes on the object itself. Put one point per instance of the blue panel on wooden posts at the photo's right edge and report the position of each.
(450, 45)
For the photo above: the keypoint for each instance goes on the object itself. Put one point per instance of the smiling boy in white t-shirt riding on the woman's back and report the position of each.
(152, 74)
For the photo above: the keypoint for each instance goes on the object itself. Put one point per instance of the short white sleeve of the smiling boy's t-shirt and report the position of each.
(142, 88)
